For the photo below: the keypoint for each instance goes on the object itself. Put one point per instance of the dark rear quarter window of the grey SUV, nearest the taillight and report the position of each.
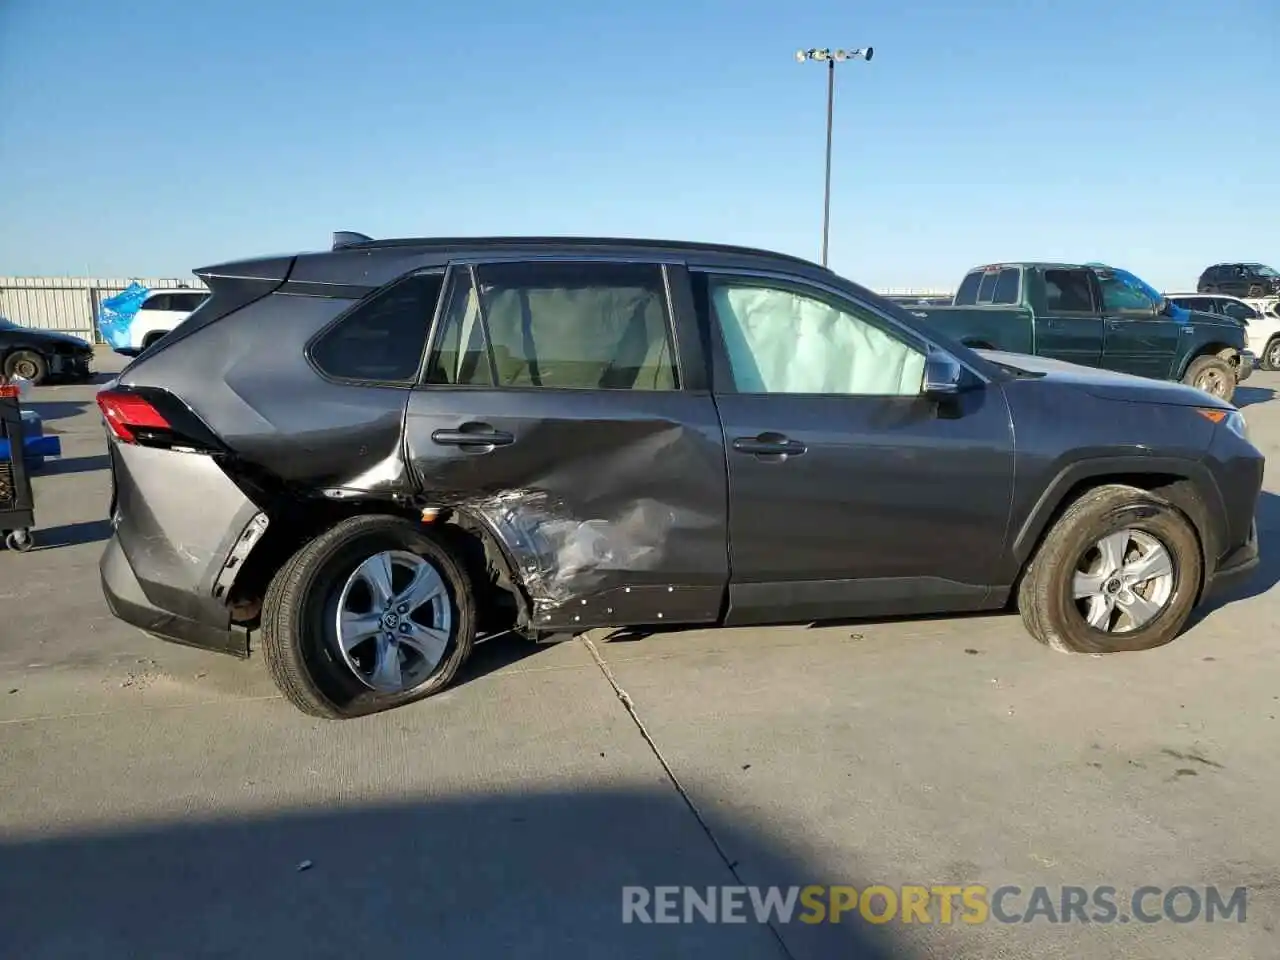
(383, 339)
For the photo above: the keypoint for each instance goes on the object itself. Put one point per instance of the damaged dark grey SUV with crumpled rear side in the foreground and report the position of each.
(406, 445)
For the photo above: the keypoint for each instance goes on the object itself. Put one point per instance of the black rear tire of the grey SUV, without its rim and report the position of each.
(299, 633)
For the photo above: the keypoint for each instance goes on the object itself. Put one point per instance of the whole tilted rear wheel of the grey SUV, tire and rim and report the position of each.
(372, 615)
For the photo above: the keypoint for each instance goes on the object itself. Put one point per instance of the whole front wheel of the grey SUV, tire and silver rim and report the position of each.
(1121, 570)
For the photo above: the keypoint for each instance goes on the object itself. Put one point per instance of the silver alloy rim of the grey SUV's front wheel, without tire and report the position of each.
(1123, 582)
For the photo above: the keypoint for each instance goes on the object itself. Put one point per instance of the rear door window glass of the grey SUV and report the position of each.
(568, 326)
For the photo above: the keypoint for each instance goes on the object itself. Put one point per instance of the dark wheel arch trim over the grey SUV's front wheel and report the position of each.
(1208, 511)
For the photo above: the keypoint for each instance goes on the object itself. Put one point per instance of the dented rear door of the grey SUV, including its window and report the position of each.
(565, 405)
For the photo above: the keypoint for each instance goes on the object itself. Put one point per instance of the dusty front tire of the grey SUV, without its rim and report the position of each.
(1045, 597)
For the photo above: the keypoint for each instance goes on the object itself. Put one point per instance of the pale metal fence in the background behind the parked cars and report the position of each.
(71, 304)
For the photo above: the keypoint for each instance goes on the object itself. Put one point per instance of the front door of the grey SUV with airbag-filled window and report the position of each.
(851, 495)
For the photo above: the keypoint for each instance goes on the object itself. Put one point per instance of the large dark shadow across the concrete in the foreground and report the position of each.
(509, 875)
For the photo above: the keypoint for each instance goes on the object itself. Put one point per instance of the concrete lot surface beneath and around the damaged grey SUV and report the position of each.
(163, 802)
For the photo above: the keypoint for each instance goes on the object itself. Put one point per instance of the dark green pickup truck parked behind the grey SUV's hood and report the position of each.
(1095, 316)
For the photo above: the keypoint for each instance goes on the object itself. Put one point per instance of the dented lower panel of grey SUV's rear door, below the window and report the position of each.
(612, 505)
